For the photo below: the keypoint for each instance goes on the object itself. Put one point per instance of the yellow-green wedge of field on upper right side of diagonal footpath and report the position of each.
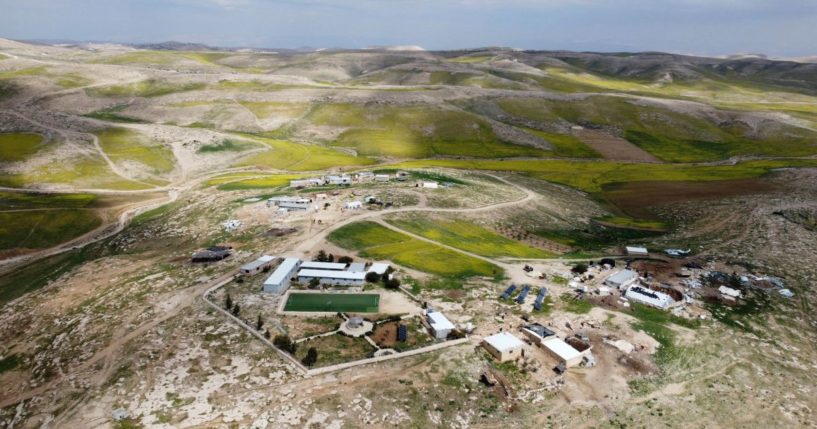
(469, 237)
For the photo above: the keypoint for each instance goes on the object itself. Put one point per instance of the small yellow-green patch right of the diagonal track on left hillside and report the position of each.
(123, 145)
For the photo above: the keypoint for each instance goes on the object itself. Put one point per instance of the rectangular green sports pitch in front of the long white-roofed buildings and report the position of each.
(333, 302)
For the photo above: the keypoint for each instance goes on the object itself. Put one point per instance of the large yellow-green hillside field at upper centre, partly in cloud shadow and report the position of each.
(415, 132)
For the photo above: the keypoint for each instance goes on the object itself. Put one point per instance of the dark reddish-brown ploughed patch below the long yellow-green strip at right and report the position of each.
(636, 198)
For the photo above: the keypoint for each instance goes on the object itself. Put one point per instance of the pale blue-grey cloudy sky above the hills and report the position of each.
(778, 28)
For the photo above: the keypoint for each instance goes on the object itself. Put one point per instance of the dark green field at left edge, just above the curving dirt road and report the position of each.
(37, 229)
